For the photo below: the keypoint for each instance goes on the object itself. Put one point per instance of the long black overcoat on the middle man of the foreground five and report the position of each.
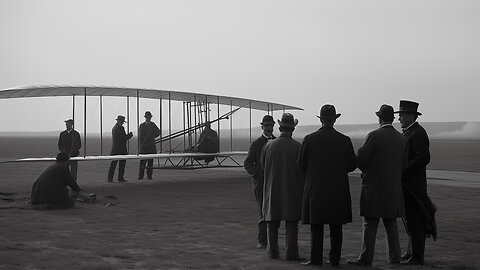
(326, 157)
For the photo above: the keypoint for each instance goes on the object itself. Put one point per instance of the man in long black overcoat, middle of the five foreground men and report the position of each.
(326, 157)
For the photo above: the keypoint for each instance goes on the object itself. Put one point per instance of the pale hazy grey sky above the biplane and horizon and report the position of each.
(354, 54)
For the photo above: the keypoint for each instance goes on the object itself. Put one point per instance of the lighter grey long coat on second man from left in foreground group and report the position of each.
(284, 182)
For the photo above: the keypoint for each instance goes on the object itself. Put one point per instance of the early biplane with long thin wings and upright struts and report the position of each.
(196, 114)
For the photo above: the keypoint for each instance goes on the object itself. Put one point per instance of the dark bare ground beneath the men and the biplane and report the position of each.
(200, 219)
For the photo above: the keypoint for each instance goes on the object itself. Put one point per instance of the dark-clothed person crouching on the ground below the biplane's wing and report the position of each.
(51, 186)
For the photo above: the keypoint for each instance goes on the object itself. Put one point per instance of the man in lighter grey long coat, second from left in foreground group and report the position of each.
(283, 188)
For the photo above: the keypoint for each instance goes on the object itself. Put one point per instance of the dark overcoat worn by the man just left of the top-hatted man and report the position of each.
(381, 161)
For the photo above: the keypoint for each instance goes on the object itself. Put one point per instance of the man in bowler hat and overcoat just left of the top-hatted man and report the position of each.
(381, 161)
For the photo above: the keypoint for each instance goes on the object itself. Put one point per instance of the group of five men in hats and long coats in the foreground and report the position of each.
(309, 182)
